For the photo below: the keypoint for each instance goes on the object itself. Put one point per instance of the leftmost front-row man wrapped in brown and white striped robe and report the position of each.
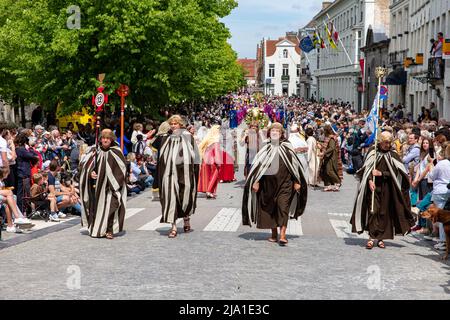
(103, 189)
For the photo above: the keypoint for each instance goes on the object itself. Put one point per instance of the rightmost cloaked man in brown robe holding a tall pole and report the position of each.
(391, 215)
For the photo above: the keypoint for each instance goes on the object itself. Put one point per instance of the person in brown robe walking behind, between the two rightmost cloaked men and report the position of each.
(331, 164)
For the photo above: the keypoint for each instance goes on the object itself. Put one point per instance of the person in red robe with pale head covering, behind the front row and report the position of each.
(212, 159)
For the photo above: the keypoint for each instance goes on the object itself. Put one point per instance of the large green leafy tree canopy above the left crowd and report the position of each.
(166, 51)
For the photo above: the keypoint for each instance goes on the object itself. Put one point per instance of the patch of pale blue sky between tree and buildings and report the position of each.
(254, 20)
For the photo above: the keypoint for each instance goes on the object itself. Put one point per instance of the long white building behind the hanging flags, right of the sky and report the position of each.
(339, 75)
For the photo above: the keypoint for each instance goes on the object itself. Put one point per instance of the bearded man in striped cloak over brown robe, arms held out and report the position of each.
(276, 188)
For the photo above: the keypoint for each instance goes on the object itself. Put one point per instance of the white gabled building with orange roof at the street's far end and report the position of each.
(280, 68)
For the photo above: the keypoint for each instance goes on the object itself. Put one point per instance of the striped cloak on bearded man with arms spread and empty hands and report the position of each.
(261, 163)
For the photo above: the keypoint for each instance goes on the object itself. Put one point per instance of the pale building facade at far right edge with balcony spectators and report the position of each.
(414, 23)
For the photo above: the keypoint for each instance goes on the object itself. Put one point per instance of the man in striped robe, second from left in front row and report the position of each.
(178, 168)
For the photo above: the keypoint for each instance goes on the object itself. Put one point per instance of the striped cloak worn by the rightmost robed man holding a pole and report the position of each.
(362, 205)
